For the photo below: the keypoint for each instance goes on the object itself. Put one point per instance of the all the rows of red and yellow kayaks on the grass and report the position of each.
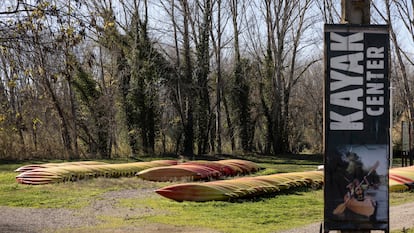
(217, 173)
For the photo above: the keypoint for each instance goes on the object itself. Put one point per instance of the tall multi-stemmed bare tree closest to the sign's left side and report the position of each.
(286, 22)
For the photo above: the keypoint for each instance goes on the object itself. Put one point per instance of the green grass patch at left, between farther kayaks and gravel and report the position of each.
(67, 195)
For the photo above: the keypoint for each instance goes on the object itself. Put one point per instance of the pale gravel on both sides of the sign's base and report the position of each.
(401, 216)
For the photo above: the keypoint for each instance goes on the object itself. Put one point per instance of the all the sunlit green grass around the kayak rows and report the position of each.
(267, 214)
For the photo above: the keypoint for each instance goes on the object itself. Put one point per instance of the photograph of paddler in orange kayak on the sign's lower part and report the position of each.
(360, 183)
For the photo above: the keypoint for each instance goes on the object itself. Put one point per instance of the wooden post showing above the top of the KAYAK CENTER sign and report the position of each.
(356, 12)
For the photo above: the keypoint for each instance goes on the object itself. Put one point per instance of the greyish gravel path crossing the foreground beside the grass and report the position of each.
(34, 220)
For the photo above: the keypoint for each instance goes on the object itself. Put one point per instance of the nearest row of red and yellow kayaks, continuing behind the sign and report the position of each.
(400, 179)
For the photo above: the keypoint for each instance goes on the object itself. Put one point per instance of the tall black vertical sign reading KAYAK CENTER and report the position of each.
(356, 127)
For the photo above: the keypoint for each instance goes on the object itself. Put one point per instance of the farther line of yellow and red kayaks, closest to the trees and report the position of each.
(158, 170)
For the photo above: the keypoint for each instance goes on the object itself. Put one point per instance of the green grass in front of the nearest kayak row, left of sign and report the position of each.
(261, 215)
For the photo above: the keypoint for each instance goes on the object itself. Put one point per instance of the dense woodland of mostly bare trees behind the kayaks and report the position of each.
(107, 78)
